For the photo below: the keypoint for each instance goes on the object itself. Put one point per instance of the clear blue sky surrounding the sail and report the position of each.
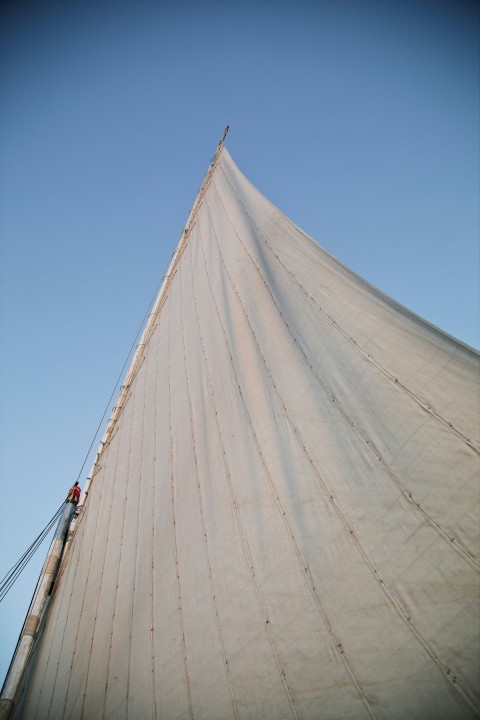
(360, 120)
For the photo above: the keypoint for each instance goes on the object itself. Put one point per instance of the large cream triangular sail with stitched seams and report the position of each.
(283, 522)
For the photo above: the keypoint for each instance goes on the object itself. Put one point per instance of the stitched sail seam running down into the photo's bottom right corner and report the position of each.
(330, 497)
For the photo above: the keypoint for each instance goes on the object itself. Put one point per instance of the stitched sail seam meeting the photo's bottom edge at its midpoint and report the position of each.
(201, 508)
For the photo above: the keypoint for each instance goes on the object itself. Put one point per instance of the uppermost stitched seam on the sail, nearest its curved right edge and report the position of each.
(428, 408)
